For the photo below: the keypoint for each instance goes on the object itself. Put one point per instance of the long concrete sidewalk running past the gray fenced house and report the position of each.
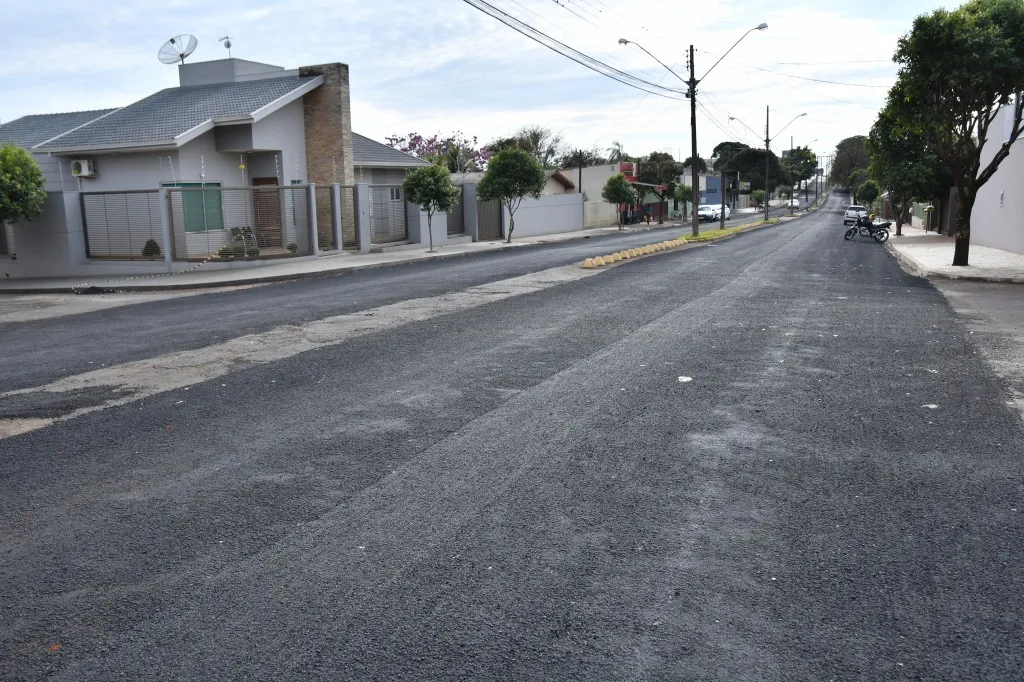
(280, 271)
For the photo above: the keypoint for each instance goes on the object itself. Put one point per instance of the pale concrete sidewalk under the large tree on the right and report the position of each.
(930, 255)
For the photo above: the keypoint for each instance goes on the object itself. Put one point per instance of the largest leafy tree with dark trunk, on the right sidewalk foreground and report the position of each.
(958, 69)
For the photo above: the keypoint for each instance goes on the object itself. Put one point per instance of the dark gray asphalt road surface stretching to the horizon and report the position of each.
(775, 458)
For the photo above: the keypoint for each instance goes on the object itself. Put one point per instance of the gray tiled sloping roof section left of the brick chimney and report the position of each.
(173, 117)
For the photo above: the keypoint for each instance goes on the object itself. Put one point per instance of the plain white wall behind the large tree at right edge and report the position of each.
(998, 219)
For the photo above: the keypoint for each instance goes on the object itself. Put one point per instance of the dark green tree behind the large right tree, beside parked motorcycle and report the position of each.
(904, 165)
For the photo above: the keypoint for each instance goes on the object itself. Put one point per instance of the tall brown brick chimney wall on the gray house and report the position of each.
(328, 115)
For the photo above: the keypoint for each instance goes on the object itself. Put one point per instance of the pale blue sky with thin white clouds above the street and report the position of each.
(443, 66)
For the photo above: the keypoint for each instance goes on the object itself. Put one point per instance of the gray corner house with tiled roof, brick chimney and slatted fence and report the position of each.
(242, 159)
